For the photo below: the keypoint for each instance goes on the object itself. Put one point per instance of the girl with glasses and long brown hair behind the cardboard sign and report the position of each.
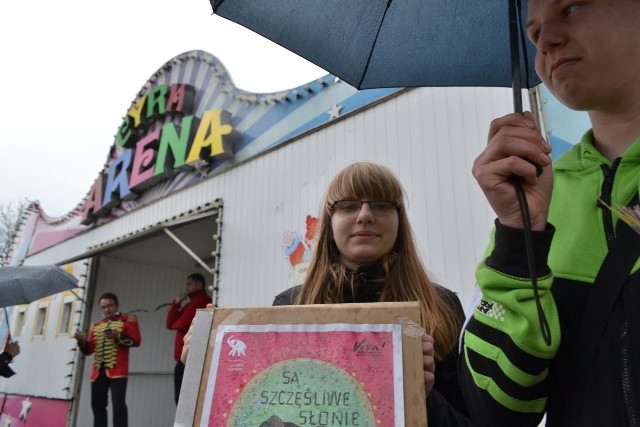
(366, 253)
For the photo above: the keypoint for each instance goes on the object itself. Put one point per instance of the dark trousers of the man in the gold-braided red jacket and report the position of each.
(99, 394)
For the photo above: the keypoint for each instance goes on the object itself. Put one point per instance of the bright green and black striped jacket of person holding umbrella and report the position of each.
(508, 374)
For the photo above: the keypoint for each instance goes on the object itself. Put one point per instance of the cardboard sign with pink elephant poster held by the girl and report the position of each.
(310, 365)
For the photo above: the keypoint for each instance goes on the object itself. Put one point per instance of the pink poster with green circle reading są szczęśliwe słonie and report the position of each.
(305, 375)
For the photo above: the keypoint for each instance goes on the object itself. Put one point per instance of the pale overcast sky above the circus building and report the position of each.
(70, 69)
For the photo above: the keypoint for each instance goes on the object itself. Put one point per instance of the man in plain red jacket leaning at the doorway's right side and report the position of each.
(179, 319)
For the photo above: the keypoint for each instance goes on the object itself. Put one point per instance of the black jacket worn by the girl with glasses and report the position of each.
(445, 405)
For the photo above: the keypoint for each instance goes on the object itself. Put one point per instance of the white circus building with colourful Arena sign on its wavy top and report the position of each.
(205, 177)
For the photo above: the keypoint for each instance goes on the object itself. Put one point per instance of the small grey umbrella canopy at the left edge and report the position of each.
(26, 284)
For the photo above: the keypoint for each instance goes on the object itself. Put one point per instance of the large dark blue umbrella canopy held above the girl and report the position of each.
(401, 43)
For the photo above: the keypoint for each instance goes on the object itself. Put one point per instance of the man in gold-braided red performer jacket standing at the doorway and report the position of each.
(110, 339)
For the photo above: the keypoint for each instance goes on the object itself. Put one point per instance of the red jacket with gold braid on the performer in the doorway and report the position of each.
(113, 354)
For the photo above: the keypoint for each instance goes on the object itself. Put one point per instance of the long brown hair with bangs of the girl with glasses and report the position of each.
(404, 275)
